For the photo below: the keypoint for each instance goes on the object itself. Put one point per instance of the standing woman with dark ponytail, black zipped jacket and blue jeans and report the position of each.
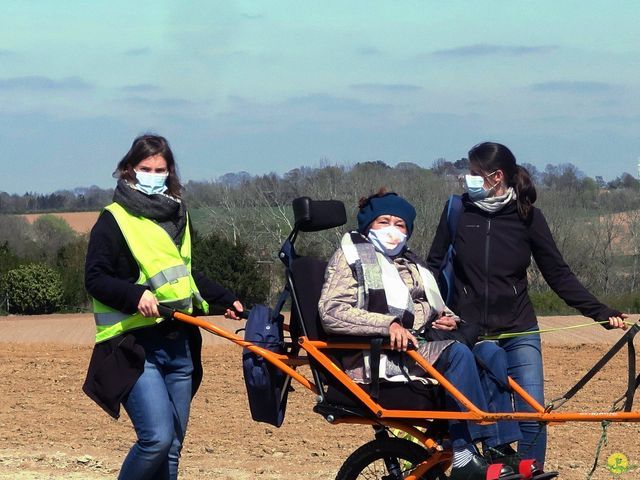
(498, 232)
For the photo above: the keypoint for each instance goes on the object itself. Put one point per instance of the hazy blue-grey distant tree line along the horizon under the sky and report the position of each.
(299, 180)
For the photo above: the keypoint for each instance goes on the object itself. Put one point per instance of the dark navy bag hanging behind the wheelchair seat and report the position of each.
(267, 386)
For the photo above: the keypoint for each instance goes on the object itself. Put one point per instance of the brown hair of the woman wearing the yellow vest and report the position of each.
(146, 146)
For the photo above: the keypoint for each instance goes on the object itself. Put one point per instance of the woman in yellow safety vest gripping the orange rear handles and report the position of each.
(139, 256)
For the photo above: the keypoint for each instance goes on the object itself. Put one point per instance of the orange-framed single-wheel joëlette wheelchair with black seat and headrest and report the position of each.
(415, 410)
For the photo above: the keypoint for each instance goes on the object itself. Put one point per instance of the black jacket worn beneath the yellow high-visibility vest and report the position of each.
(110, 276)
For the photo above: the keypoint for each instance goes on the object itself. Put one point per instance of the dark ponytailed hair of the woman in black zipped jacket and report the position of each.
(491, 156)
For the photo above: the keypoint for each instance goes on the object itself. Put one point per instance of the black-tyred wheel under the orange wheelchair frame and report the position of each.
(387, 459)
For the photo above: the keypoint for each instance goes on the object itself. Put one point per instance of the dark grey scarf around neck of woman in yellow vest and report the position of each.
(168, 212)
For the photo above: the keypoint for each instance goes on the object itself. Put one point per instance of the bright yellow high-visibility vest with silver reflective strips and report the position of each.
(165, 269)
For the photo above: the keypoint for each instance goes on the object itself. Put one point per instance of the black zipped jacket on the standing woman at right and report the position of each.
(493, 252)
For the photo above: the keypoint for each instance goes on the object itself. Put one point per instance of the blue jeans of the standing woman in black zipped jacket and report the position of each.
(524, 357)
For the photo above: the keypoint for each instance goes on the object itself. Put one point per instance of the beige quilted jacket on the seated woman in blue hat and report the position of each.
(340, 314)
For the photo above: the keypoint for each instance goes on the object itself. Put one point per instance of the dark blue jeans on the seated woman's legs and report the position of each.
(458, 365)
